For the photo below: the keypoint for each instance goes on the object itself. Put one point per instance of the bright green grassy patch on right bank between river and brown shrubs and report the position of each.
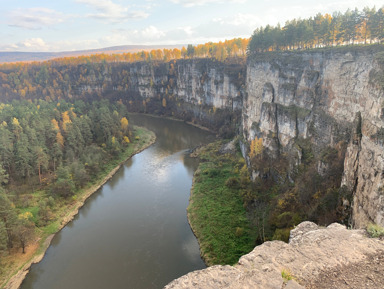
(216, 210)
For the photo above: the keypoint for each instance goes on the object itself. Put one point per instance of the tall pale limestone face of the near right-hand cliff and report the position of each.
(325, 98)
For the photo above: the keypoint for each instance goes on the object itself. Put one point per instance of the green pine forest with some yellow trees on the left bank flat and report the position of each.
(49, 151)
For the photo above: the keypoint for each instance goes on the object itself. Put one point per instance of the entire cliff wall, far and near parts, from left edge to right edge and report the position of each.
(306, 106)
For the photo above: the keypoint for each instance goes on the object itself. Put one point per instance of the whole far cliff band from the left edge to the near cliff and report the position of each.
(204, 91)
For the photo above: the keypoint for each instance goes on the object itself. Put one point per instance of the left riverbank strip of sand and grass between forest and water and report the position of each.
(19, 267)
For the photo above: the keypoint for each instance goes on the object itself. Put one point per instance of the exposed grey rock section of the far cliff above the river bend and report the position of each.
(204, 91)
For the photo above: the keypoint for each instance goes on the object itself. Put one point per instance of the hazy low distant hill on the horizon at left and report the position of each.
(6, 57)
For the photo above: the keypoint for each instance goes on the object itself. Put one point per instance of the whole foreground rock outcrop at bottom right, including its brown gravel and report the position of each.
(331, 257)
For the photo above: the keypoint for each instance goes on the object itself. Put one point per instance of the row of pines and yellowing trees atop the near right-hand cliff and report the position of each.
(351, 27)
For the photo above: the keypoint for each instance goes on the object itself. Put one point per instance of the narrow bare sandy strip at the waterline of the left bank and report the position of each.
(15, 281)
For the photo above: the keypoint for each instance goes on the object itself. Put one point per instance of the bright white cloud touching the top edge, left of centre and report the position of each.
(112, 12)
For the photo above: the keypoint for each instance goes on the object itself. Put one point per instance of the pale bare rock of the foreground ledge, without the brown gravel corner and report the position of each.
(311, 251)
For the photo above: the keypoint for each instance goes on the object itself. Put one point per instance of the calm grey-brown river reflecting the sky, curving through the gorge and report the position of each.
(132, 233)
